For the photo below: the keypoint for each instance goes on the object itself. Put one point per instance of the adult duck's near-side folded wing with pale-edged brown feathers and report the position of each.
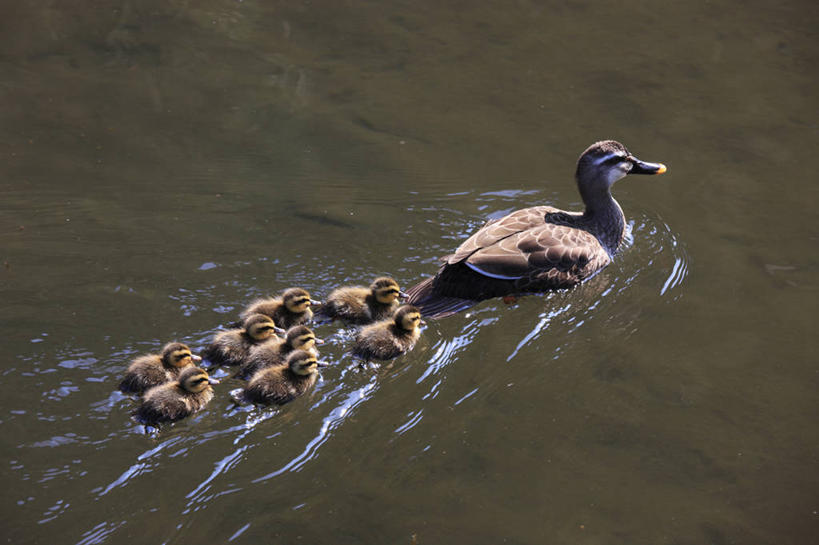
(539, 252)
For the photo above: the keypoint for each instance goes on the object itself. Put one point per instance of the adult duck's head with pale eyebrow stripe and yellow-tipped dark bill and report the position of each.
(605, 162)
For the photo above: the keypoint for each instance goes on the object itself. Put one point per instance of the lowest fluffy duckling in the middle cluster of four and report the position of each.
(283, 383)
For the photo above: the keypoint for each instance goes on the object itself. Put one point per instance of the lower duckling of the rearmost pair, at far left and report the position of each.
(175, 400)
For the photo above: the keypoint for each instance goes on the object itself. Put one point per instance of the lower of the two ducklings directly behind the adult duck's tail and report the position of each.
(389, 338)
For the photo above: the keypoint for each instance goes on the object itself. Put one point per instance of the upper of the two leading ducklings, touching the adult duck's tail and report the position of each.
(362, 305)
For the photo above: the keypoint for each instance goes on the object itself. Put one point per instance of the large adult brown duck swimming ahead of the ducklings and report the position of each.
(540, 248)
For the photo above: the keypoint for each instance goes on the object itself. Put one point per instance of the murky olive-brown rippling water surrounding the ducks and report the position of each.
(162, 163)
